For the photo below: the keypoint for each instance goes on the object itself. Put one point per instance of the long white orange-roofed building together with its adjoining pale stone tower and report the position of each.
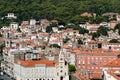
(41, 69)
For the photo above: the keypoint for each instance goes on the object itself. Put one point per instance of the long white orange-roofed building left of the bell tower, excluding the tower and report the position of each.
(34, 70)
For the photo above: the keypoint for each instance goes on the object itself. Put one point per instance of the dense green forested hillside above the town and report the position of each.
(56, 9)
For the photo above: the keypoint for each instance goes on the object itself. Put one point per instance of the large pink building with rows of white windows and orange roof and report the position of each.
(92, 61)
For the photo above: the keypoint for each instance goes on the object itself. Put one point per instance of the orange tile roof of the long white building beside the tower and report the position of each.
(30, 63)
